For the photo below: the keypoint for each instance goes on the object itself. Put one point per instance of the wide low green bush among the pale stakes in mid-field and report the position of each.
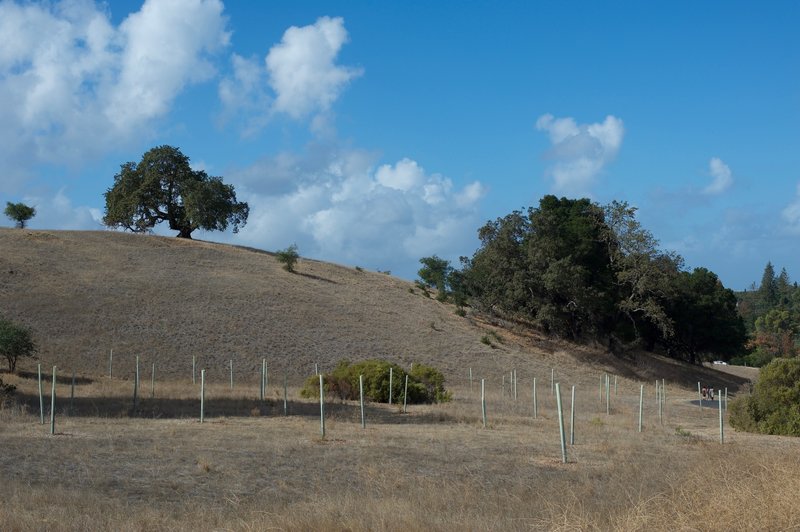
(425, 384)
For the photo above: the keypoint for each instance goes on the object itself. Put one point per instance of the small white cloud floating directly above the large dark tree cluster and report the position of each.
(579, 151)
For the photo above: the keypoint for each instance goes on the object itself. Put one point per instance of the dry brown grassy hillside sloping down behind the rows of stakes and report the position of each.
(167, 299)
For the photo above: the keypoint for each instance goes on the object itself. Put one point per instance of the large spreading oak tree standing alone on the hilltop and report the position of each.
(162, 187)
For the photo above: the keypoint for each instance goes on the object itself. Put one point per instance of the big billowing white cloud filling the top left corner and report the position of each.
(73, 85)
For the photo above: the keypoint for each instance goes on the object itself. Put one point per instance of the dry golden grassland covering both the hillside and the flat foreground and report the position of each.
(249, 467)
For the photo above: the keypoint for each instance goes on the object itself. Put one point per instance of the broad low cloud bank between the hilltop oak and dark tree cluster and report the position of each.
(340, 207)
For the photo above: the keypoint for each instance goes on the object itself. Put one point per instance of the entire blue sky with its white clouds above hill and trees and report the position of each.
(375, 133)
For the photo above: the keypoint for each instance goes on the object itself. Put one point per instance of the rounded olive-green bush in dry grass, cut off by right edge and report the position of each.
(774, 405)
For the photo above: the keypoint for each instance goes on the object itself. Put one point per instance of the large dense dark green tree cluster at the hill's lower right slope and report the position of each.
(584, 271)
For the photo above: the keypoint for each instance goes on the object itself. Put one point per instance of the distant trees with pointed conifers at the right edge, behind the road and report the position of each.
(771, 312)
